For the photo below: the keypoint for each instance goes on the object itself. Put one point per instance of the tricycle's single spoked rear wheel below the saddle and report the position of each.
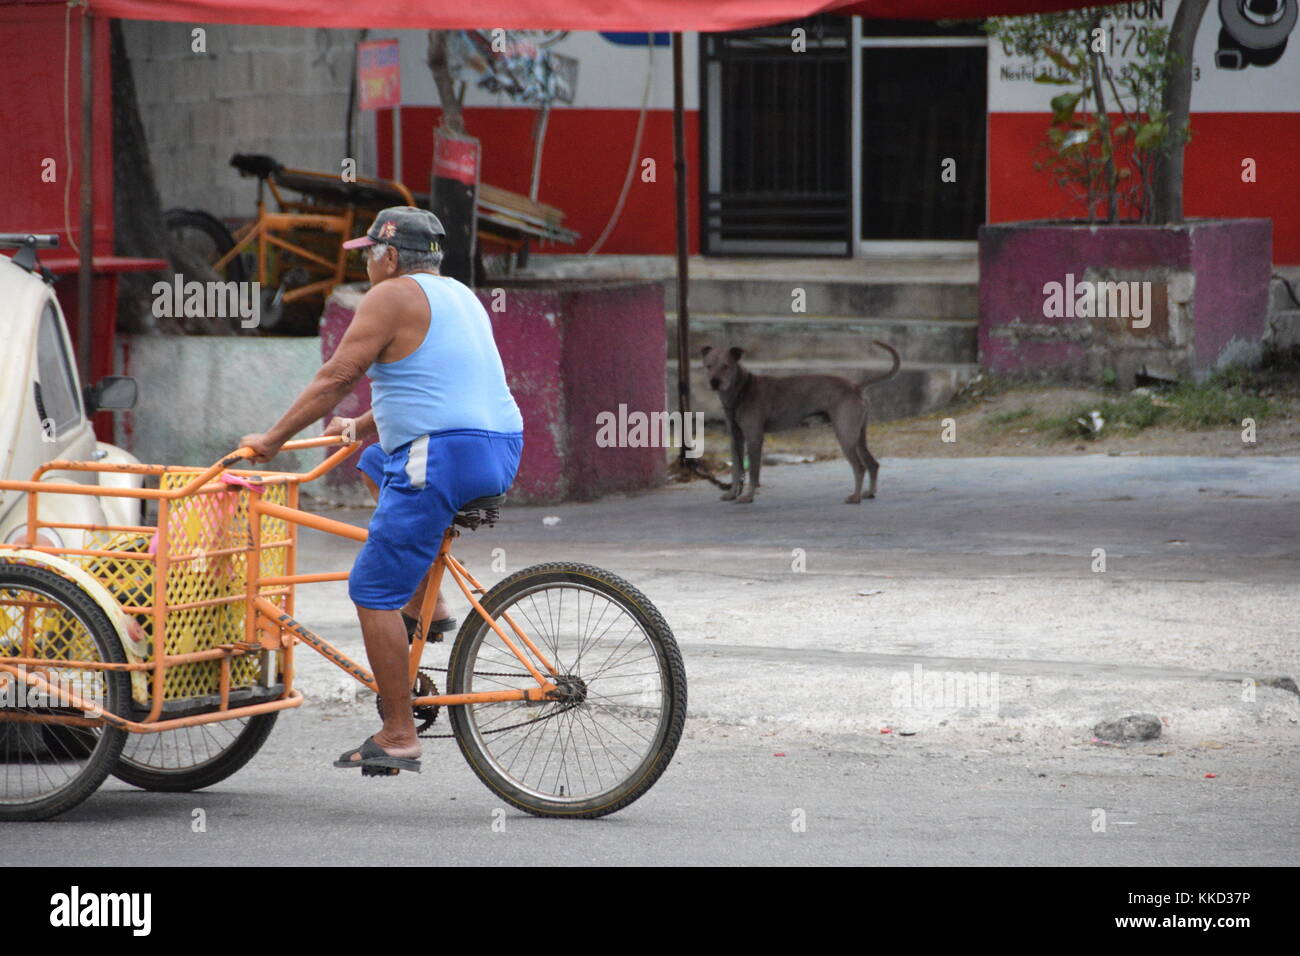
(623, 702)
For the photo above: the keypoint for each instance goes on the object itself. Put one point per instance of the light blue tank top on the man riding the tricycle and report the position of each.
(453, 380)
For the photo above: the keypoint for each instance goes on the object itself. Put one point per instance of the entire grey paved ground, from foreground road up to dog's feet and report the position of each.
(798, 617)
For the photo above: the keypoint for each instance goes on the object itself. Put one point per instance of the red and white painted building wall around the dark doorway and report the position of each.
(1237, 115)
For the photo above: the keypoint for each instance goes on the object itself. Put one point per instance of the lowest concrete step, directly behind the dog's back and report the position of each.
(917, 390)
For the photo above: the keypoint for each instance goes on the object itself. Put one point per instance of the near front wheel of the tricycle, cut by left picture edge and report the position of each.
(46, 768)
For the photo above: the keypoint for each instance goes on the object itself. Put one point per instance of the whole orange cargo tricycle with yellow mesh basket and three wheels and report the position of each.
(163, 654)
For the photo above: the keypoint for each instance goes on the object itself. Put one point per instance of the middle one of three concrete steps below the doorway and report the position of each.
(778, 338)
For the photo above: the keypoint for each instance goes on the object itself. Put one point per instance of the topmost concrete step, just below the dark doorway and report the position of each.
(878, 299)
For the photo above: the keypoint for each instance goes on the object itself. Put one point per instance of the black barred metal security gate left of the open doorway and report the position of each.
(777, 142)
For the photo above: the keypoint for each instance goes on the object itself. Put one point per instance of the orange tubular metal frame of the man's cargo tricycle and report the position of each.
(267, 628)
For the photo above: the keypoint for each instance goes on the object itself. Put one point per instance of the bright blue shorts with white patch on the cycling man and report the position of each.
(422, 487)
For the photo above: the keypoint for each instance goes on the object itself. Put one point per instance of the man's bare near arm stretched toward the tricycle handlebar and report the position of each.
(370, 334)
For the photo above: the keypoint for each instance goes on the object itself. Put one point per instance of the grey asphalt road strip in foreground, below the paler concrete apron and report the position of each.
(727, 799)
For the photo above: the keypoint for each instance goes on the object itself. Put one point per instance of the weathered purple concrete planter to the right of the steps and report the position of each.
(1210, 283)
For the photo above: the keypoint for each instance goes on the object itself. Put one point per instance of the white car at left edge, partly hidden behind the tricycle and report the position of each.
(45, 413)
